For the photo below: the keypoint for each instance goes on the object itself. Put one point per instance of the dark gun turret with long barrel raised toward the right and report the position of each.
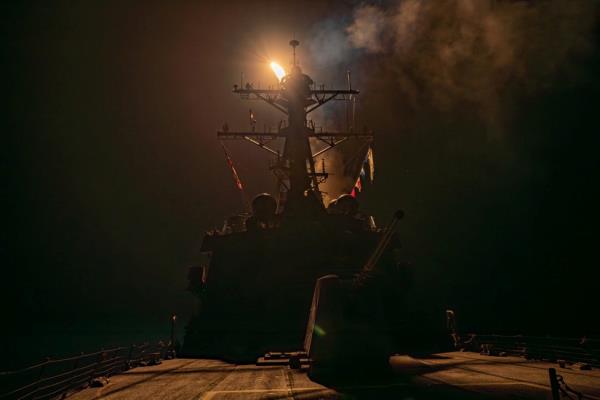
(346, 325)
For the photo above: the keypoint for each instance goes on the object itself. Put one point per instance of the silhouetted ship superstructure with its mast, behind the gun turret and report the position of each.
(256, 279)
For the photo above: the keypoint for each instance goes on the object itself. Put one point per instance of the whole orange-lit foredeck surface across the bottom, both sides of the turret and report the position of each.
(447, 375)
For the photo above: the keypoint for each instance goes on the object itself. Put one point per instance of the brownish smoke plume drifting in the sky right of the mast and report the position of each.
(449, 52)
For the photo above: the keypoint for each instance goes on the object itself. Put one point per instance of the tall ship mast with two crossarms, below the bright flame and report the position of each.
(295, 169)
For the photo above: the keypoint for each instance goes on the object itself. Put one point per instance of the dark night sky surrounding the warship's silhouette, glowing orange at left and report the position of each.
(112, 172)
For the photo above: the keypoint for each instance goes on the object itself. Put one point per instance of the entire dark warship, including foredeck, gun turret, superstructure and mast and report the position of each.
(302, 297)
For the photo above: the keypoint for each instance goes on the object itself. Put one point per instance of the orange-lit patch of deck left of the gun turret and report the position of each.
(206, 379)
